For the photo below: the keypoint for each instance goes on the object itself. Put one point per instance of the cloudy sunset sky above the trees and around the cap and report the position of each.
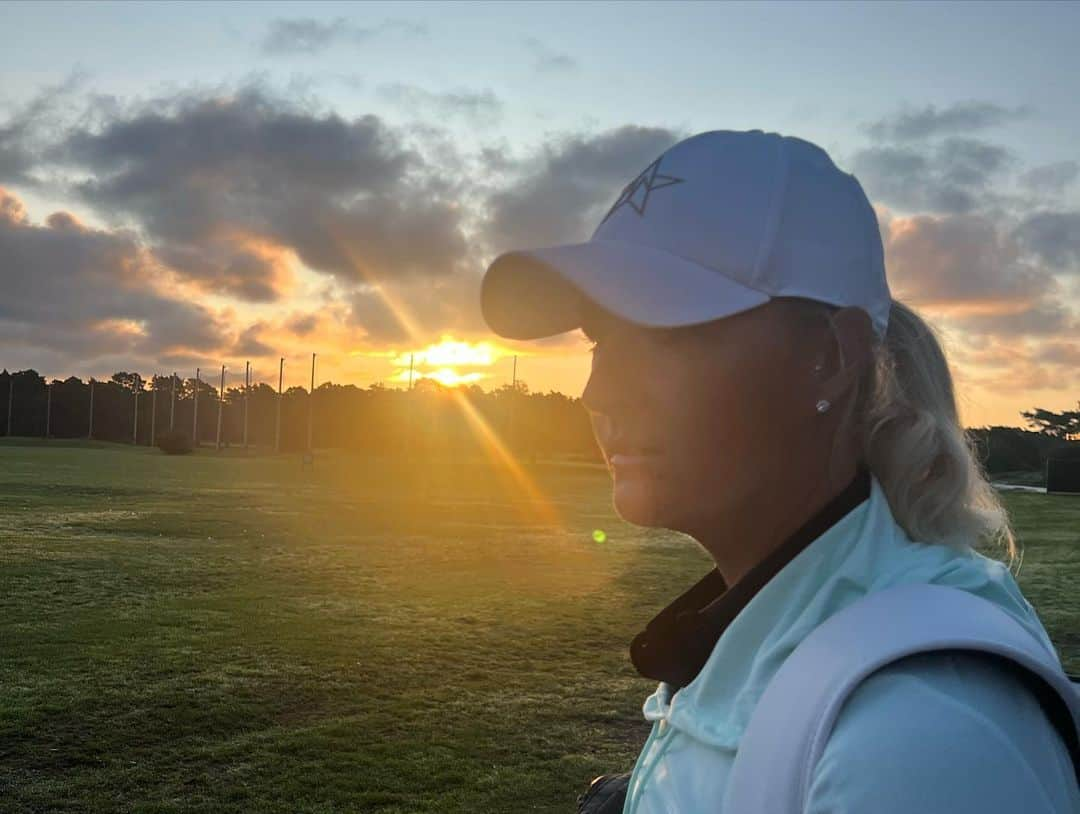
(197, 185)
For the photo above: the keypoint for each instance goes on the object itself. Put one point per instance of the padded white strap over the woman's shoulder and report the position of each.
(794, 717)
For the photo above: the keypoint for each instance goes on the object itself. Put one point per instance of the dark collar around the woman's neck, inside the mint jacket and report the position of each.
(678, 643)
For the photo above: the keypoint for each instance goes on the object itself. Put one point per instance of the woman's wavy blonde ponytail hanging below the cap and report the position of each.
(906, 422)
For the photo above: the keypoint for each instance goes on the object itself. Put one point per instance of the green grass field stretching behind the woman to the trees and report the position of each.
(207, 634)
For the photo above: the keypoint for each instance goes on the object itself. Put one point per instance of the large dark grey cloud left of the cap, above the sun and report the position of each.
(231, 189)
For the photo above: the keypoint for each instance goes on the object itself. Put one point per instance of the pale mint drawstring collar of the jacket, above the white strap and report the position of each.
(866, 551)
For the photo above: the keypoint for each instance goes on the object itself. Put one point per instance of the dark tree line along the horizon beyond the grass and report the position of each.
(429, 419)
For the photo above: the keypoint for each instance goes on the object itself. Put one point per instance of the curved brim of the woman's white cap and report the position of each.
(538, 293)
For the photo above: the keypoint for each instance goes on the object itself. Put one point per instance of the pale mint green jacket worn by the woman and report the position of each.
(936, 734)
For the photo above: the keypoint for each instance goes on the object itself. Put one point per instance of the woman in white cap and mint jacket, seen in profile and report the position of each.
(755, 387)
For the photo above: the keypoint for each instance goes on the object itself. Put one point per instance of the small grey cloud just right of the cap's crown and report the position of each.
(954, 178)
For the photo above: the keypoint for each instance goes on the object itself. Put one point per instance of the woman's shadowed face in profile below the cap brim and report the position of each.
(692, 420)
